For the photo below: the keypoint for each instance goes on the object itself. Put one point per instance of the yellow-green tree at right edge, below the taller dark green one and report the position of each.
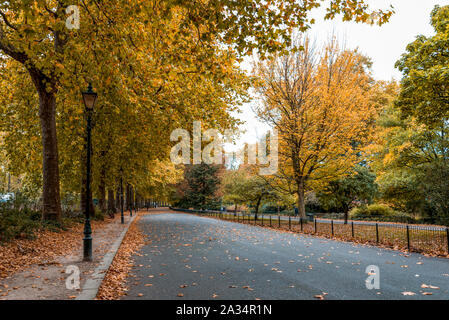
(412, 164)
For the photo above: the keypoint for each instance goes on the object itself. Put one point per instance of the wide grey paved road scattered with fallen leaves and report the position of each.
(205, 258)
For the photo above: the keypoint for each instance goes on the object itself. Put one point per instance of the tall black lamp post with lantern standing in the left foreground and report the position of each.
(89, 98)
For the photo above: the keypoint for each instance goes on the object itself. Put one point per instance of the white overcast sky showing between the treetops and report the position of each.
(384, 45)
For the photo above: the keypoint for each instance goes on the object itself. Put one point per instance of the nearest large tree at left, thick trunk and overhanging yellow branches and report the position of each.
(109, 49)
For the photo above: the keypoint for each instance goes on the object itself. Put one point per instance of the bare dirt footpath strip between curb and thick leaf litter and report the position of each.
(47, 278)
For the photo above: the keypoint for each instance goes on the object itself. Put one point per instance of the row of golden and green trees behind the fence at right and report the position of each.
(346, 140)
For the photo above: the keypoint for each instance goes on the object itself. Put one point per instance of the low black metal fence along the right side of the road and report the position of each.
(416, 238)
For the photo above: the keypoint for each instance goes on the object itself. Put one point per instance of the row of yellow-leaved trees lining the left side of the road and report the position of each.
(156, 65)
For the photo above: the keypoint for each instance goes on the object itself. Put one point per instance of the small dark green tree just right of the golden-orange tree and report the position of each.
(340, 194)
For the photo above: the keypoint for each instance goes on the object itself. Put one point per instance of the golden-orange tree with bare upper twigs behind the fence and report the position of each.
(320, 104)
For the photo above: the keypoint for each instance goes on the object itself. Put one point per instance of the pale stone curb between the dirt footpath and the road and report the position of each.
(90, 288)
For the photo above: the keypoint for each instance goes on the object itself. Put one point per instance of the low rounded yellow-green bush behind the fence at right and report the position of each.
(379, 212)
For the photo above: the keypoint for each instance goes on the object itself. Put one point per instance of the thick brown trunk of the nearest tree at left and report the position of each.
(51, 200)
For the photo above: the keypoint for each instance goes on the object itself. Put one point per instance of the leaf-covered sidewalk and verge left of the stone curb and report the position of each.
(37, 268)
